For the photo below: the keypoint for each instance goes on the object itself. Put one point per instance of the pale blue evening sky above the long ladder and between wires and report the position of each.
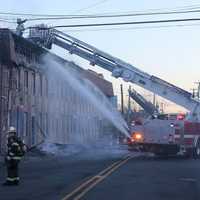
(171, 53)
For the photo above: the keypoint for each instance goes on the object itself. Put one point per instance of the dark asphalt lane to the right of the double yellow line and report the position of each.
(146, 178)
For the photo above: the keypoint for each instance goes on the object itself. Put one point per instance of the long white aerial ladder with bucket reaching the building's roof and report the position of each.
(46, 37)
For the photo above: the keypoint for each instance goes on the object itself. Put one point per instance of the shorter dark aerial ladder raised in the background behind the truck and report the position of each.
(146, 105)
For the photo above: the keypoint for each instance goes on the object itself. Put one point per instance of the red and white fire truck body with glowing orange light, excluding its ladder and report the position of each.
(168, 134)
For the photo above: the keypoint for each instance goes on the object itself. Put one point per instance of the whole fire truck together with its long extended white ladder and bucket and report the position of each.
(180, 136)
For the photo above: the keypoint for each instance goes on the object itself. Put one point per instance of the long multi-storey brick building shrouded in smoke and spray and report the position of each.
(40, 106)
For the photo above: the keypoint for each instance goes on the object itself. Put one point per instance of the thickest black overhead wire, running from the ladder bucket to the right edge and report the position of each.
(121, 23)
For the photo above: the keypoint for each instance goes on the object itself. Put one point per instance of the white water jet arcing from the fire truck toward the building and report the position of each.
(88, 91)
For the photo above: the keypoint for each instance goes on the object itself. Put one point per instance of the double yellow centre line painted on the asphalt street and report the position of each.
(85, 187)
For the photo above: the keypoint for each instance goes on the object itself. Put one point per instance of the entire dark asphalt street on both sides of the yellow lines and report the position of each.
(140, 178)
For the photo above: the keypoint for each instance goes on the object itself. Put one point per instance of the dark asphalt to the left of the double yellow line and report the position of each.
(52, 177)
